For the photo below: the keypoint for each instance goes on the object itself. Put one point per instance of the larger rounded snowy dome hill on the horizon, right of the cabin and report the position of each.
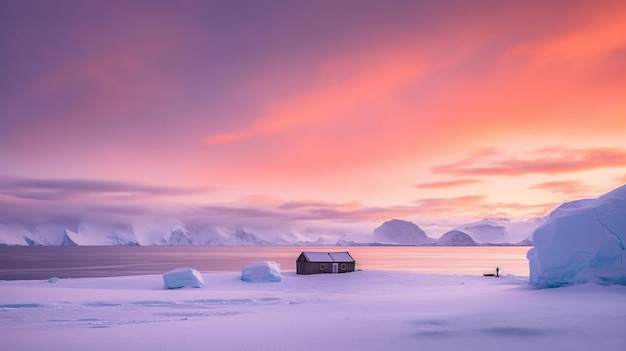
(397, 231)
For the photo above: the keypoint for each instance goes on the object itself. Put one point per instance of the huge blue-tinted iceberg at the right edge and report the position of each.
(582, 241)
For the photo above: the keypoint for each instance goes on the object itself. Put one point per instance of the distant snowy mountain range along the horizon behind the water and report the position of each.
(393, 232)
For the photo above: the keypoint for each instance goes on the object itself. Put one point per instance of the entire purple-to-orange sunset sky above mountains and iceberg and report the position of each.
(309, 115)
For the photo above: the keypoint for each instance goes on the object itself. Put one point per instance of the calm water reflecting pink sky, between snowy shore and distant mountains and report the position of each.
(18, 262)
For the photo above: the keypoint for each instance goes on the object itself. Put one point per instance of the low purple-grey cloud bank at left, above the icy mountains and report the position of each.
(33, 201)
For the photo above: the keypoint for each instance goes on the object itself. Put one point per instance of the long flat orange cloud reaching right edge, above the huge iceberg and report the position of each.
(554, 160)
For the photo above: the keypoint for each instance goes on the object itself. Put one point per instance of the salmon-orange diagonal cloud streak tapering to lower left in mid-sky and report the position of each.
(372, 83)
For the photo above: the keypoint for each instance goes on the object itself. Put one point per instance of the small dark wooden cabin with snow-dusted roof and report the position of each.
(325, 262)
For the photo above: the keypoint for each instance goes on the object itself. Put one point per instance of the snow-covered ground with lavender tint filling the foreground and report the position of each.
(364, 310)
